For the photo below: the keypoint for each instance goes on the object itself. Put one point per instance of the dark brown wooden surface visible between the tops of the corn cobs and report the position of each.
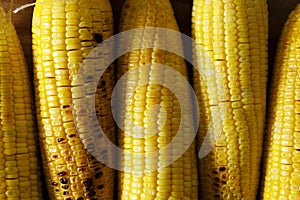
(278, 11)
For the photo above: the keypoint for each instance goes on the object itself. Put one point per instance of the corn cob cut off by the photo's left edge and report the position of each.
(19, 166)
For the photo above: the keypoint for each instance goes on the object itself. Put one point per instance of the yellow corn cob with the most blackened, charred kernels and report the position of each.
(64, 33)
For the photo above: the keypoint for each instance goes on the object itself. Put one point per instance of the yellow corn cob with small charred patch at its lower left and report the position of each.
(234, 35)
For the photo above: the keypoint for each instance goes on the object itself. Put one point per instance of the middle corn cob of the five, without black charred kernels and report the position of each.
(142, 178)
